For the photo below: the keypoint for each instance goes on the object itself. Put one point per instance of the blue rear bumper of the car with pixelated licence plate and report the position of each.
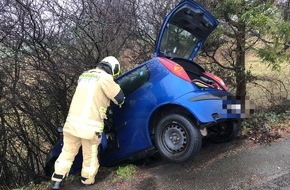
(213, 108)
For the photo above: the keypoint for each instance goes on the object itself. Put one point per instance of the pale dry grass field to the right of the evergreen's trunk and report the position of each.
(271, 85)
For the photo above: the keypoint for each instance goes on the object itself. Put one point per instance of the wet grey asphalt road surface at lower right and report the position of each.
(262, 167)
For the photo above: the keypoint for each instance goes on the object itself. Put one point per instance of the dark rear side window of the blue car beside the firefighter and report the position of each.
(134, 79)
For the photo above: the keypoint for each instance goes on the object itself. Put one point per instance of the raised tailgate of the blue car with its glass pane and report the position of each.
(184, 31)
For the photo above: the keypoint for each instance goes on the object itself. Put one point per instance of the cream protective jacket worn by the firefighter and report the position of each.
(91, 99)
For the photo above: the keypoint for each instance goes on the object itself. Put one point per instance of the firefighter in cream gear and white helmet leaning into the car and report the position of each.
(85, 121)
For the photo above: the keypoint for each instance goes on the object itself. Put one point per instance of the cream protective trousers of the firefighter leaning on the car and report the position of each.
(71, 146)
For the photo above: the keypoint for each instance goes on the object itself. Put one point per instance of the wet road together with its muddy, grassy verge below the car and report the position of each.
(234, 165)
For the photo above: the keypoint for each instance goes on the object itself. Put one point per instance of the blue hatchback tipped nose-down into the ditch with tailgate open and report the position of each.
(172, 103)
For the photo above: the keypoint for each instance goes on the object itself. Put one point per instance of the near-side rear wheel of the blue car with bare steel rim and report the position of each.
(177, 138)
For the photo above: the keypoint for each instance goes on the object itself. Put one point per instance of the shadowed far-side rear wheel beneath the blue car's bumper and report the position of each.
(224, 131)
